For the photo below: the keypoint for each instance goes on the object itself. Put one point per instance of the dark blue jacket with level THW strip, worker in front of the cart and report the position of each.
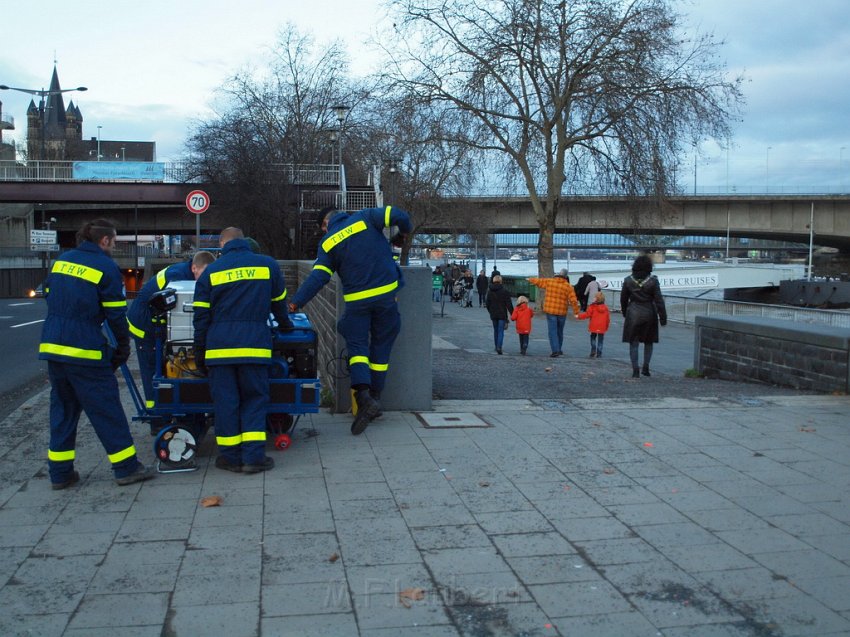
(232, 301)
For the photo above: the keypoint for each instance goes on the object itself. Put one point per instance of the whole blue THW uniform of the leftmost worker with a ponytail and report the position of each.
(84, 289)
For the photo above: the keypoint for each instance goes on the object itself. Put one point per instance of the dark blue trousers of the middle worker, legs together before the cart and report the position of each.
(240, 396)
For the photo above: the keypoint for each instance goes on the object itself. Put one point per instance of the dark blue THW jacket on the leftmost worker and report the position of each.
(84, 289)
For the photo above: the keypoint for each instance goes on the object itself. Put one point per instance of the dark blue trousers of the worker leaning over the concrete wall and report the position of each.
(369, 330)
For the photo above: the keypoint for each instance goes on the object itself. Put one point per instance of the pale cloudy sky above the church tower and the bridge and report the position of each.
(153, 68)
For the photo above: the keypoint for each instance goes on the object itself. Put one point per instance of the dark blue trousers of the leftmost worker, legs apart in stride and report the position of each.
(79, 388)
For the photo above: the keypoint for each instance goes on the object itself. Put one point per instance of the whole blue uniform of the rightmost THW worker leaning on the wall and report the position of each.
(357, 250)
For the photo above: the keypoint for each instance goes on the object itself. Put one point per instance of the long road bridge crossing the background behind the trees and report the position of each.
(159, 208)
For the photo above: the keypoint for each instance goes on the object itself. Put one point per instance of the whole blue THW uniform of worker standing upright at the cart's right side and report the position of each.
(233, 298)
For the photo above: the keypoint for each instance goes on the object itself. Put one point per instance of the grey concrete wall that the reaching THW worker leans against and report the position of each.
(409, 380)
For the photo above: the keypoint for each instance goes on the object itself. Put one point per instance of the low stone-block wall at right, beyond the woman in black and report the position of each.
(804, 356)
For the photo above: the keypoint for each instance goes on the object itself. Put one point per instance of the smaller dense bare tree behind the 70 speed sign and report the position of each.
(269, 119)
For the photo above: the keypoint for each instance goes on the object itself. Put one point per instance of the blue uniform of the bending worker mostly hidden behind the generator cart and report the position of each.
(145, 328)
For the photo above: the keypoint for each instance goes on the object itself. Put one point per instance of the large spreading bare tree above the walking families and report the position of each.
(575, 96)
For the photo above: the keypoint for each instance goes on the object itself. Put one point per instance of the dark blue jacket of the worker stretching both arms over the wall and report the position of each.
(357, 250)
